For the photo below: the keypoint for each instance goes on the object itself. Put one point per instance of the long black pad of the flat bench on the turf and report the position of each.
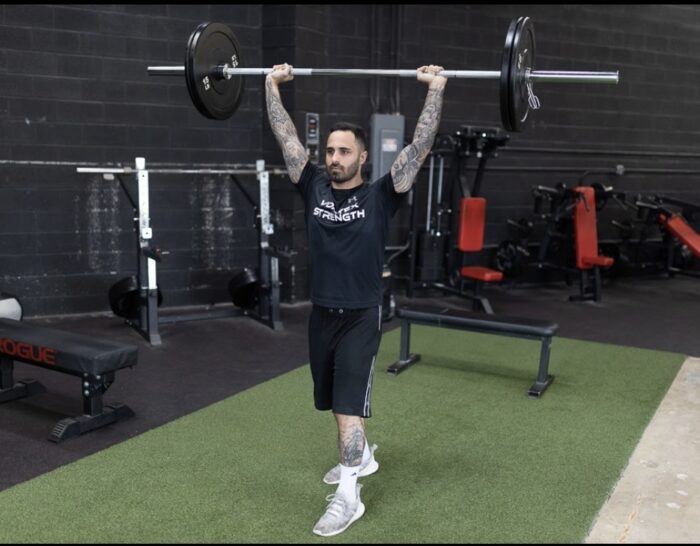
(478, 322)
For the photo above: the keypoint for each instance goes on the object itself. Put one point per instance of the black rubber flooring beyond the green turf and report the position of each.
(202, 362)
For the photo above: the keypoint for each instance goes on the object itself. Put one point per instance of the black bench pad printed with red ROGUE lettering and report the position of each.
(72, 353)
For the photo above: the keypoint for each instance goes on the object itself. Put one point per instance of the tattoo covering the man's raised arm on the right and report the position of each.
(409, 161)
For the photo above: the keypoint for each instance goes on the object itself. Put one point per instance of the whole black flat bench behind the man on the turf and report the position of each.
(476, 322)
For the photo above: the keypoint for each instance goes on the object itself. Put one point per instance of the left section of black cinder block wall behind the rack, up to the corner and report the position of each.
(74, 91)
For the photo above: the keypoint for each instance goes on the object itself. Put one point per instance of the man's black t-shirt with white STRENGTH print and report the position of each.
(346, 231)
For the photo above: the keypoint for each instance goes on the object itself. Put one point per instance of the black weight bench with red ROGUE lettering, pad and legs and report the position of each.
(95, 361)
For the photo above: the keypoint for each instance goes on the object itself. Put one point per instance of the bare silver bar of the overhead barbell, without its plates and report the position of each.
(551, 76)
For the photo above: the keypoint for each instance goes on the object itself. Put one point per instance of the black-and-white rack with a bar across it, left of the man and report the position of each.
(137, 298)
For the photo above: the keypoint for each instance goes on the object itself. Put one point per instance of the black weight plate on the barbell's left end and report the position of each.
(210, 46)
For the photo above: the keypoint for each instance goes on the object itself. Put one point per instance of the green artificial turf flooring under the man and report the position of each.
(464, 454)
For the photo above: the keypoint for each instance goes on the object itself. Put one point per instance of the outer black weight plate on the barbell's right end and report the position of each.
(522, 60)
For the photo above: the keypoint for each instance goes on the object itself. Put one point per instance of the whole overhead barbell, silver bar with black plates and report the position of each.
(214, 73)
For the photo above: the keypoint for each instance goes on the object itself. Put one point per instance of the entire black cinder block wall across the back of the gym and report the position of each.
(74, 89)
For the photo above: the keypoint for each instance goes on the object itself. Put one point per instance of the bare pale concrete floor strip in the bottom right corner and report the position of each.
(657, 499)
